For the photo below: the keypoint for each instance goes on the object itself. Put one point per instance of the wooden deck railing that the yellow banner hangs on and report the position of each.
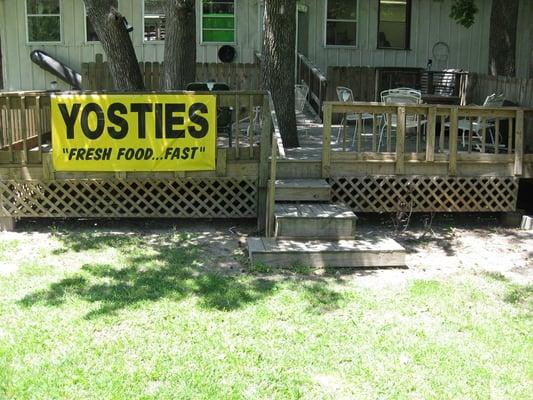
(25, 125)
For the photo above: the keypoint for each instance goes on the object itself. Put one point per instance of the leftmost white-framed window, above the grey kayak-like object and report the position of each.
(43, 20)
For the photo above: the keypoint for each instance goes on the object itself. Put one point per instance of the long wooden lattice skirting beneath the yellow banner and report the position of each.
(191, 198)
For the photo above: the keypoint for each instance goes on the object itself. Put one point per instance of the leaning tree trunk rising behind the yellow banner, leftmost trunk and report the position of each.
(110, 27)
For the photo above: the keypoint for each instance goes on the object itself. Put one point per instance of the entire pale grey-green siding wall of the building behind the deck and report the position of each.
(430, 23)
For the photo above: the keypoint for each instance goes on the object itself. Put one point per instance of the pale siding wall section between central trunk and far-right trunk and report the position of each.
(430, 23)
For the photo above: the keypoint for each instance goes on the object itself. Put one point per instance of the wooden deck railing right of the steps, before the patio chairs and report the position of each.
(402, 133)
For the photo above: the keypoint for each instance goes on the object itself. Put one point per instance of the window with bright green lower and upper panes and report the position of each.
(218, 21)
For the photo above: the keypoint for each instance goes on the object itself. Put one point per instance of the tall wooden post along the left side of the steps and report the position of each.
(263, 165)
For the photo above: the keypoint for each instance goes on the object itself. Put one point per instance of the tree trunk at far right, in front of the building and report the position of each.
(502, 39)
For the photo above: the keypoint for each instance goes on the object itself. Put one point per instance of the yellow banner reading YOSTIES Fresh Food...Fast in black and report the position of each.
(134, 132)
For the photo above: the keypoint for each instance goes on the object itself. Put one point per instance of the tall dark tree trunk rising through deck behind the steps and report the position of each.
(278, 64)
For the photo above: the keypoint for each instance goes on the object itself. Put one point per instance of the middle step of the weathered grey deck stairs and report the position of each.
(314, 221)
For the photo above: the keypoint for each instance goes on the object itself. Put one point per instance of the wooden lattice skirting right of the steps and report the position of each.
(426, 194)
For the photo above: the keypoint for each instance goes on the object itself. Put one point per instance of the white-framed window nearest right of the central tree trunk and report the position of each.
(341, 22)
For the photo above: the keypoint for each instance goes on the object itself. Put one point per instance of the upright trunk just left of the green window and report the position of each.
(180, 44)
